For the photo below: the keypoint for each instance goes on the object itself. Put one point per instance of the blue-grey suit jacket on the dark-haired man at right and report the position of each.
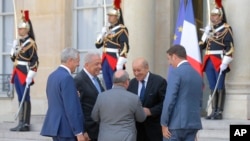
(182, 104)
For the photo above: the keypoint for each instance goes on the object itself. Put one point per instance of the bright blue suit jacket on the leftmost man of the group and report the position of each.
(64, 116)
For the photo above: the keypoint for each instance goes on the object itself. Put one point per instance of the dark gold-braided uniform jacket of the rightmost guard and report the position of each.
(219, 43)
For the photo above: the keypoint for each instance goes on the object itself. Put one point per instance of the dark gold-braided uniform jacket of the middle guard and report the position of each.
(115, 44)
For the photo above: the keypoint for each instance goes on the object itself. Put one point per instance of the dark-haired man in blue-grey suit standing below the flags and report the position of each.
(180, 117)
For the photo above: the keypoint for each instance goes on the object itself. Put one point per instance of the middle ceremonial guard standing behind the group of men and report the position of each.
(114, 41)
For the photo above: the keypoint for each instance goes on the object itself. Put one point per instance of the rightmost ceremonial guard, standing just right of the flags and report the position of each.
(218, 42)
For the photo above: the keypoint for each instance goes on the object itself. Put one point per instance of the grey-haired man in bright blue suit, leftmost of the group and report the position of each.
(64, 118)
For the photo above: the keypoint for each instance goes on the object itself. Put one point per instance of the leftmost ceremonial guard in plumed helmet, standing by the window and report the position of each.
(24, 56)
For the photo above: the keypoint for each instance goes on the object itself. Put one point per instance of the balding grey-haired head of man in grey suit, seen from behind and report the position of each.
(120, 78)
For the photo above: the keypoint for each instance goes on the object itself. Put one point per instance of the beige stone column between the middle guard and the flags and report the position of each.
(165, 23)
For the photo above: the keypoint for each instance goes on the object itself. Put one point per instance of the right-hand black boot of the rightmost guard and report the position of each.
(221, 100)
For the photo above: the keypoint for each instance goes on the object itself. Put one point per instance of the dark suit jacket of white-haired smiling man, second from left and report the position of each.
(88, 96)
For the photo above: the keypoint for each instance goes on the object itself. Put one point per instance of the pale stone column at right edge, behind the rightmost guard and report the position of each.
(237, 104)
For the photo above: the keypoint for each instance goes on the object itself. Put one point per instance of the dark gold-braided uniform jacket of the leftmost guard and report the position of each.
(25, 59)
